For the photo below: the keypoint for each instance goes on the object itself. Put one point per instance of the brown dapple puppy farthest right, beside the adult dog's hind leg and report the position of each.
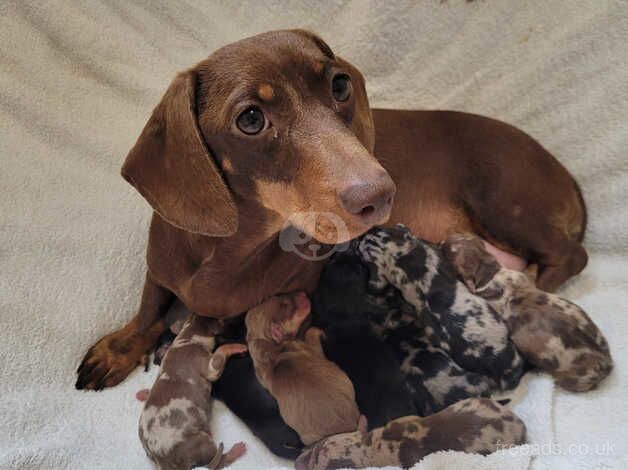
(554, 334)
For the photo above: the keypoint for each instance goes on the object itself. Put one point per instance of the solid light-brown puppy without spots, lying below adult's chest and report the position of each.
(315, 397)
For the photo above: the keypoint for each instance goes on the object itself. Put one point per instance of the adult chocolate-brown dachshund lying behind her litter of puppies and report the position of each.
(277, 128)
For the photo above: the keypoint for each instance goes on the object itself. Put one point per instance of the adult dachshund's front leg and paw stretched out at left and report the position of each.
(114, 356)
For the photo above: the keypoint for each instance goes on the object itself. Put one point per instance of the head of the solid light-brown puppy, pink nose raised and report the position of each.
(279, 318)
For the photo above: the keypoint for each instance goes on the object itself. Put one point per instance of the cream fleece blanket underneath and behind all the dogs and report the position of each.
(78, 81)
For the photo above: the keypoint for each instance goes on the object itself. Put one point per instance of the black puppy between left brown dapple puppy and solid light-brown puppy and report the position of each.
(240, 390)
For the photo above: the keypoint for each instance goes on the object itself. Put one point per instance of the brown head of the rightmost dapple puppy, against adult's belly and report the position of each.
(472, 262)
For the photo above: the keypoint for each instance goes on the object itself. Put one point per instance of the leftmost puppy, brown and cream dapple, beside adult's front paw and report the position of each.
(174, 426)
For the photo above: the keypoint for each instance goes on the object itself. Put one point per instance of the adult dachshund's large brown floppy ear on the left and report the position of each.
(171, 167)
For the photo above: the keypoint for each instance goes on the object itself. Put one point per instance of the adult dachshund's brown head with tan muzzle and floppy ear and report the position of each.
(274, 124)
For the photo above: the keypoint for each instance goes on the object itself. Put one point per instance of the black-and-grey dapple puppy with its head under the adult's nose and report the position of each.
(456, 324)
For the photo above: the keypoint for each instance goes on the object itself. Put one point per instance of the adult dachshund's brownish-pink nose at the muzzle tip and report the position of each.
(370, 200)
